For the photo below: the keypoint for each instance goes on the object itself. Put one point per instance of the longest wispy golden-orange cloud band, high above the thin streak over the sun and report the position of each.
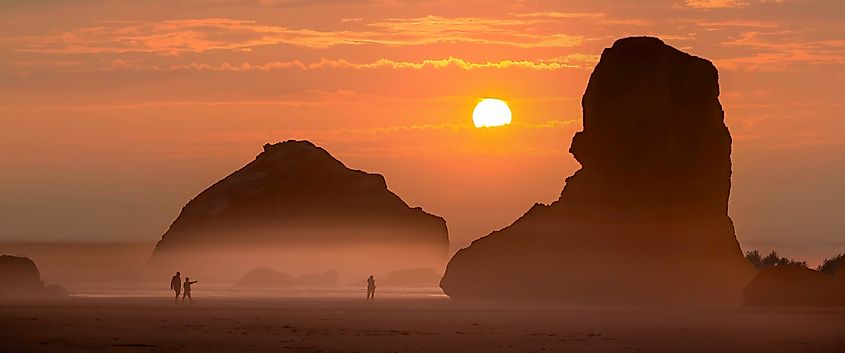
(200, 35)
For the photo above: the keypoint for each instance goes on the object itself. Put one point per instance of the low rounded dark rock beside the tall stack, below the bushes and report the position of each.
(793, 286)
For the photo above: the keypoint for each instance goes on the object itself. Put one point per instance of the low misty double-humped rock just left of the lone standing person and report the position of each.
(263, 277)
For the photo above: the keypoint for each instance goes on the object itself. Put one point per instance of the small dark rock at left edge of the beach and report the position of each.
(19, 277)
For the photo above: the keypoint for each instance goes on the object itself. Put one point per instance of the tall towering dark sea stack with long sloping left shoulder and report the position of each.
(644, 221)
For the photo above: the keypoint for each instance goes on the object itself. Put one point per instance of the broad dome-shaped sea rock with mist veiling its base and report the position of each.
(295, 196)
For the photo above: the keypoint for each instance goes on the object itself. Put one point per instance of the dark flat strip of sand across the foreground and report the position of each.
(400, 325)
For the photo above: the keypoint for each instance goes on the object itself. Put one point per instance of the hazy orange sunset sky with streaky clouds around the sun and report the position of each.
(114, 114)
